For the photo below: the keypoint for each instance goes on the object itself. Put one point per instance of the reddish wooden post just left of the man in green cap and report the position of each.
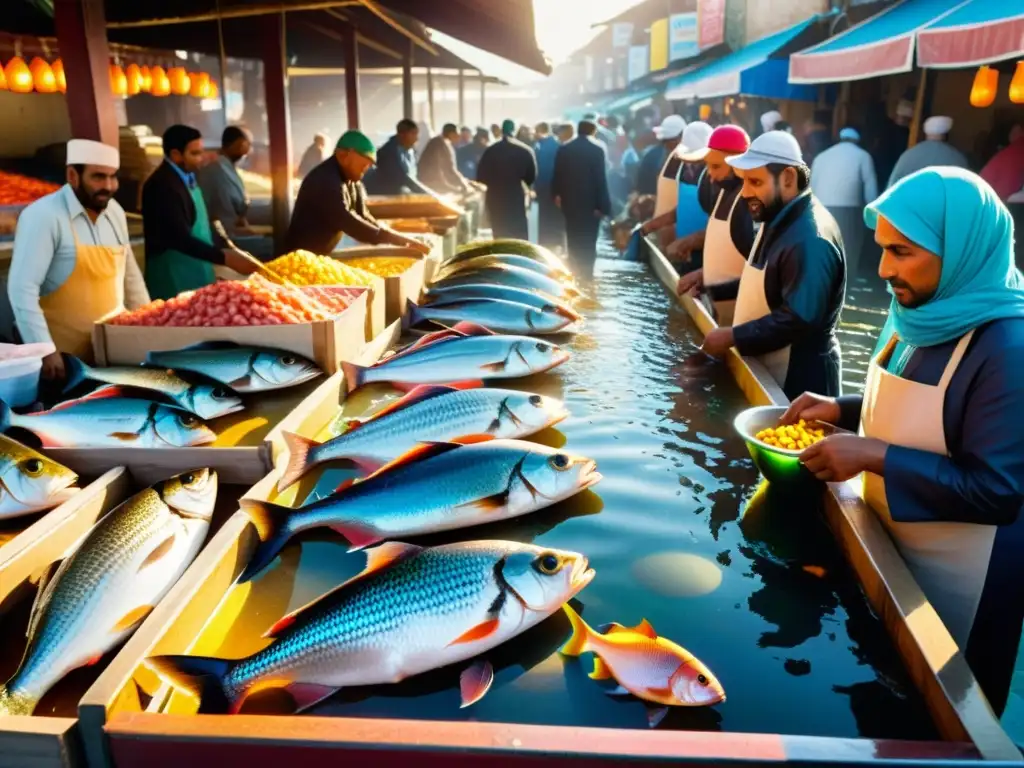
(279, 125)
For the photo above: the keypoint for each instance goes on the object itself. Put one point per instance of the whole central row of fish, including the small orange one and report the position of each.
(448, 456)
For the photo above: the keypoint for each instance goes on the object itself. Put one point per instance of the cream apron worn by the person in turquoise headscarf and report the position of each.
(950, 561)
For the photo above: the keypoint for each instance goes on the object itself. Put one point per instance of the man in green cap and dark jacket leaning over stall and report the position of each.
(332, 203)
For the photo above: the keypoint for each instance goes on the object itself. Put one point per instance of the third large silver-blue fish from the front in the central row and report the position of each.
(428, 414)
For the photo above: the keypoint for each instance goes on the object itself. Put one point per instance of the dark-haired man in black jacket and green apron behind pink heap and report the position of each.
(182, 247)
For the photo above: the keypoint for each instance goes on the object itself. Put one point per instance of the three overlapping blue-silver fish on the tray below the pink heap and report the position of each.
(165, 403)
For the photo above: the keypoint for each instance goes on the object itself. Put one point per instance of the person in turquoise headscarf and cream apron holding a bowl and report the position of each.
(940, 425)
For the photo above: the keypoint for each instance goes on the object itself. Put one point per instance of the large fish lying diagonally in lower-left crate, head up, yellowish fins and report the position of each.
(112, 581)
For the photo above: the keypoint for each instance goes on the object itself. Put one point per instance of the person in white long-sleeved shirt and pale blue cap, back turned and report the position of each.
(843, 179)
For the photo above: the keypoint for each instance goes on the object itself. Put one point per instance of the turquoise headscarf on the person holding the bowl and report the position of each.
(958, 217)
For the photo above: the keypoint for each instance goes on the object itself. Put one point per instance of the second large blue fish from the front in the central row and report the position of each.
(437, 487)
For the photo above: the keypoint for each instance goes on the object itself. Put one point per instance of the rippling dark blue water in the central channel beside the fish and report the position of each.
(679, 534)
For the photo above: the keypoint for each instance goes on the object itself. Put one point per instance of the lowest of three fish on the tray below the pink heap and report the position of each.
(102, 421)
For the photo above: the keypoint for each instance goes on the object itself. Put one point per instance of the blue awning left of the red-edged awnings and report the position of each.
(751, 71)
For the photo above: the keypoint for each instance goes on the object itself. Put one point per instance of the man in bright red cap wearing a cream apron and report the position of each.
(730, 236)
